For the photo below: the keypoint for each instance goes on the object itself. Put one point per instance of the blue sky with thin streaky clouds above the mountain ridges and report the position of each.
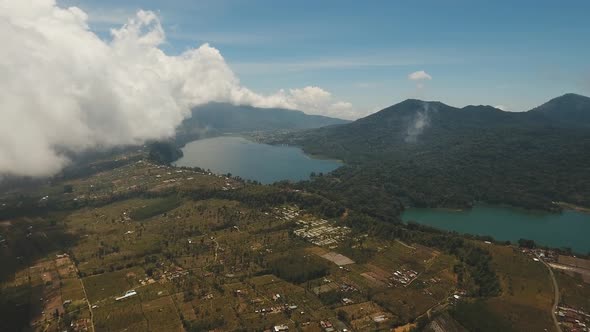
(513, 53)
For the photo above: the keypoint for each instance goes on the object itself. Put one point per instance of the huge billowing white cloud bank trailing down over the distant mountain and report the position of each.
(63, 88)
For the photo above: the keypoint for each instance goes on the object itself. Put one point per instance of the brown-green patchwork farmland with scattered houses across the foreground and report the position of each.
(146, 247)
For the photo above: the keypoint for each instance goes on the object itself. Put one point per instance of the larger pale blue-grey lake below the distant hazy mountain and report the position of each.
(254, 161)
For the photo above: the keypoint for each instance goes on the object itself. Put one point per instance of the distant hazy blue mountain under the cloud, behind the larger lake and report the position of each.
(219, 118)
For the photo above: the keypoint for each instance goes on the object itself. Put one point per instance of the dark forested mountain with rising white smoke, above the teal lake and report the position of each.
(430, 154)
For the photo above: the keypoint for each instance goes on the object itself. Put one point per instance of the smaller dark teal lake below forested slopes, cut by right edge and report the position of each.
(568, 229)
